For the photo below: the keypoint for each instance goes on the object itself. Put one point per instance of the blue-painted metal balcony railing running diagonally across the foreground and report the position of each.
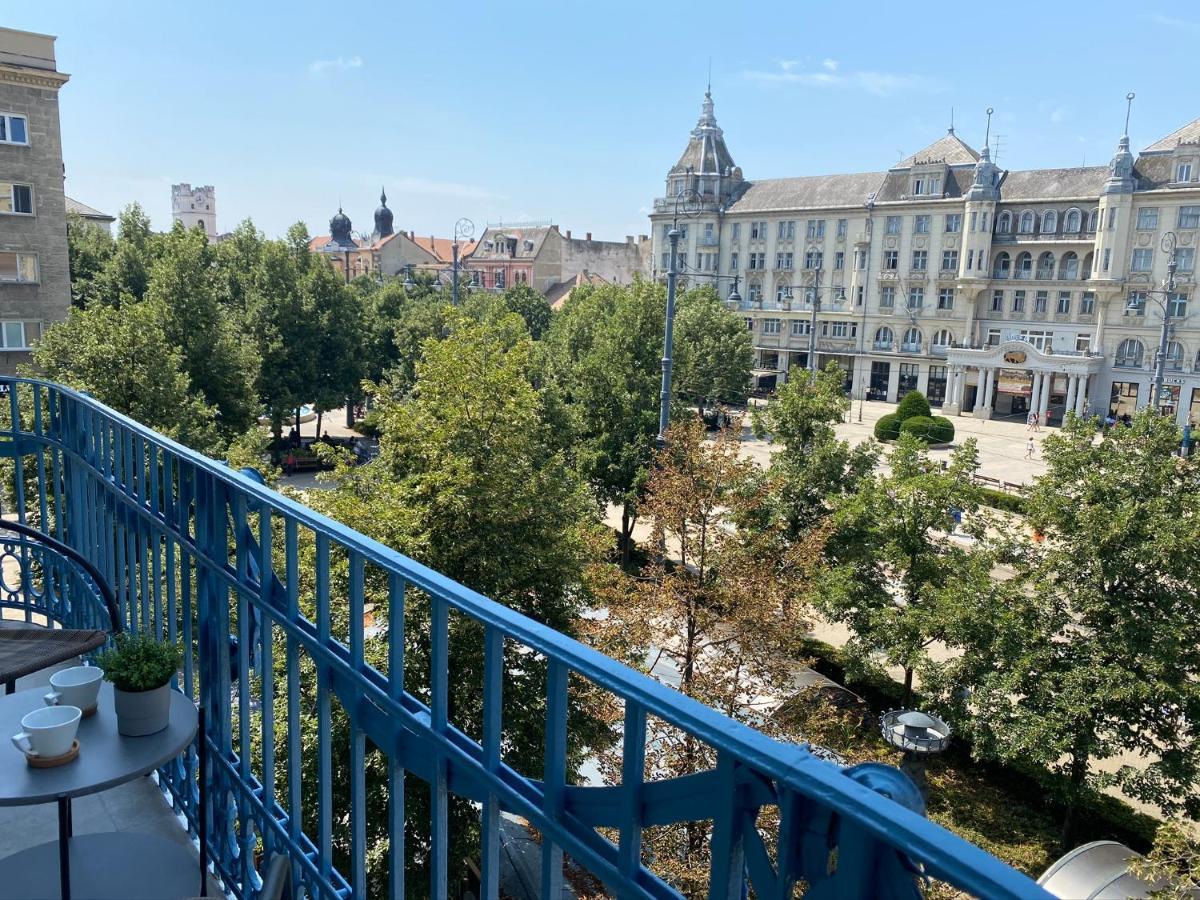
(212, 559)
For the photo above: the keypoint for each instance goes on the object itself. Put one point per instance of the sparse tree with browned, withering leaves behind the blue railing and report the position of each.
(717, 622)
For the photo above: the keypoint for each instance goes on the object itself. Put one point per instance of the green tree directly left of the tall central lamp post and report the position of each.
(604, 352)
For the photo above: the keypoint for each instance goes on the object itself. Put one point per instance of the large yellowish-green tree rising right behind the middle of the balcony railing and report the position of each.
(470, 483)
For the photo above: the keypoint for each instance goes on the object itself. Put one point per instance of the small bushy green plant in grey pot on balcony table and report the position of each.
(141, 670)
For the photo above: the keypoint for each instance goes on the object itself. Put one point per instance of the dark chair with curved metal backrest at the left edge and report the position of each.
(26, 647)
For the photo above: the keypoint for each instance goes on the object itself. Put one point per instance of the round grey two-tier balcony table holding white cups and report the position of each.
(103, 866)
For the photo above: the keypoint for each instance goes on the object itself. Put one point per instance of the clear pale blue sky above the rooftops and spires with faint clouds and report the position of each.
(574, 112)
